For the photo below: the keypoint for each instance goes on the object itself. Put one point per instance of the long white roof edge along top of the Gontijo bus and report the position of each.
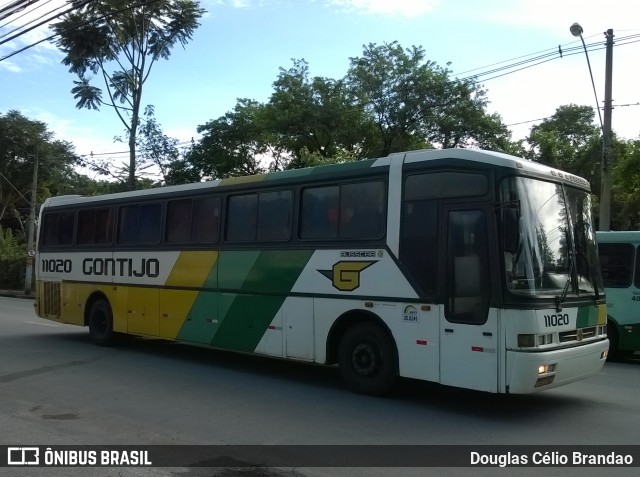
(423, 155)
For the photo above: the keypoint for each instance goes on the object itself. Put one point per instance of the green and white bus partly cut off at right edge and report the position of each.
(621, 274)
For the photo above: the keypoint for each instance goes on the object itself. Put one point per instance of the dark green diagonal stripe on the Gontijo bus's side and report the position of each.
(249, 315)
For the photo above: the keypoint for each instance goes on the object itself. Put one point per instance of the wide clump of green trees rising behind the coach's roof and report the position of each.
(390, 100)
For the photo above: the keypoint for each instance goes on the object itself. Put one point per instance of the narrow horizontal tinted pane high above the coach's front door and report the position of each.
(442, 185)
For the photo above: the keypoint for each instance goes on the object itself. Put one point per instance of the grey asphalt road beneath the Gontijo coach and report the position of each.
(56, 388)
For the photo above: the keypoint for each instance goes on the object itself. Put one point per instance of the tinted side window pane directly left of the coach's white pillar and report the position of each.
(362, 210)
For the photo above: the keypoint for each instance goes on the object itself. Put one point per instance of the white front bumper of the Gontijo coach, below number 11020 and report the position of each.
(564, 366)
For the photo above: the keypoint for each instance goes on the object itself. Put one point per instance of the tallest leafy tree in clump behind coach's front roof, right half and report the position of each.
(415, 104)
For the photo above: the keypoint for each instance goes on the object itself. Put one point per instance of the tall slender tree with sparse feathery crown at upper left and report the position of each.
(120, 40)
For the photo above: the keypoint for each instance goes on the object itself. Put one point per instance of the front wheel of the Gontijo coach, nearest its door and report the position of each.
(367, 359)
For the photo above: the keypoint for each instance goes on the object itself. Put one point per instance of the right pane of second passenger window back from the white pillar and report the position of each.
(275, 210)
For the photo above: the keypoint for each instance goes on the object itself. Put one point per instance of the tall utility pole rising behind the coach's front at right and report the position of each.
(607, 138)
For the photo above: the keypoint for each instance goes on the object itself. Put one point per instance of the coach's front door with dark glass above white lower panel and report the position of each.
(469, 327)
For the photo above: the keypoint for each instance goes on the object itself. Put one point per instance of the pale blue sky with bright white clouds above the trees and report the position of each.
(240, 46)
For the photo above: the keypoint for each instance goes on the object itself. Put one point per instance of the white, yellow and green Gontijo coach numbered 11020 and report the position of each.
(467, 268)
